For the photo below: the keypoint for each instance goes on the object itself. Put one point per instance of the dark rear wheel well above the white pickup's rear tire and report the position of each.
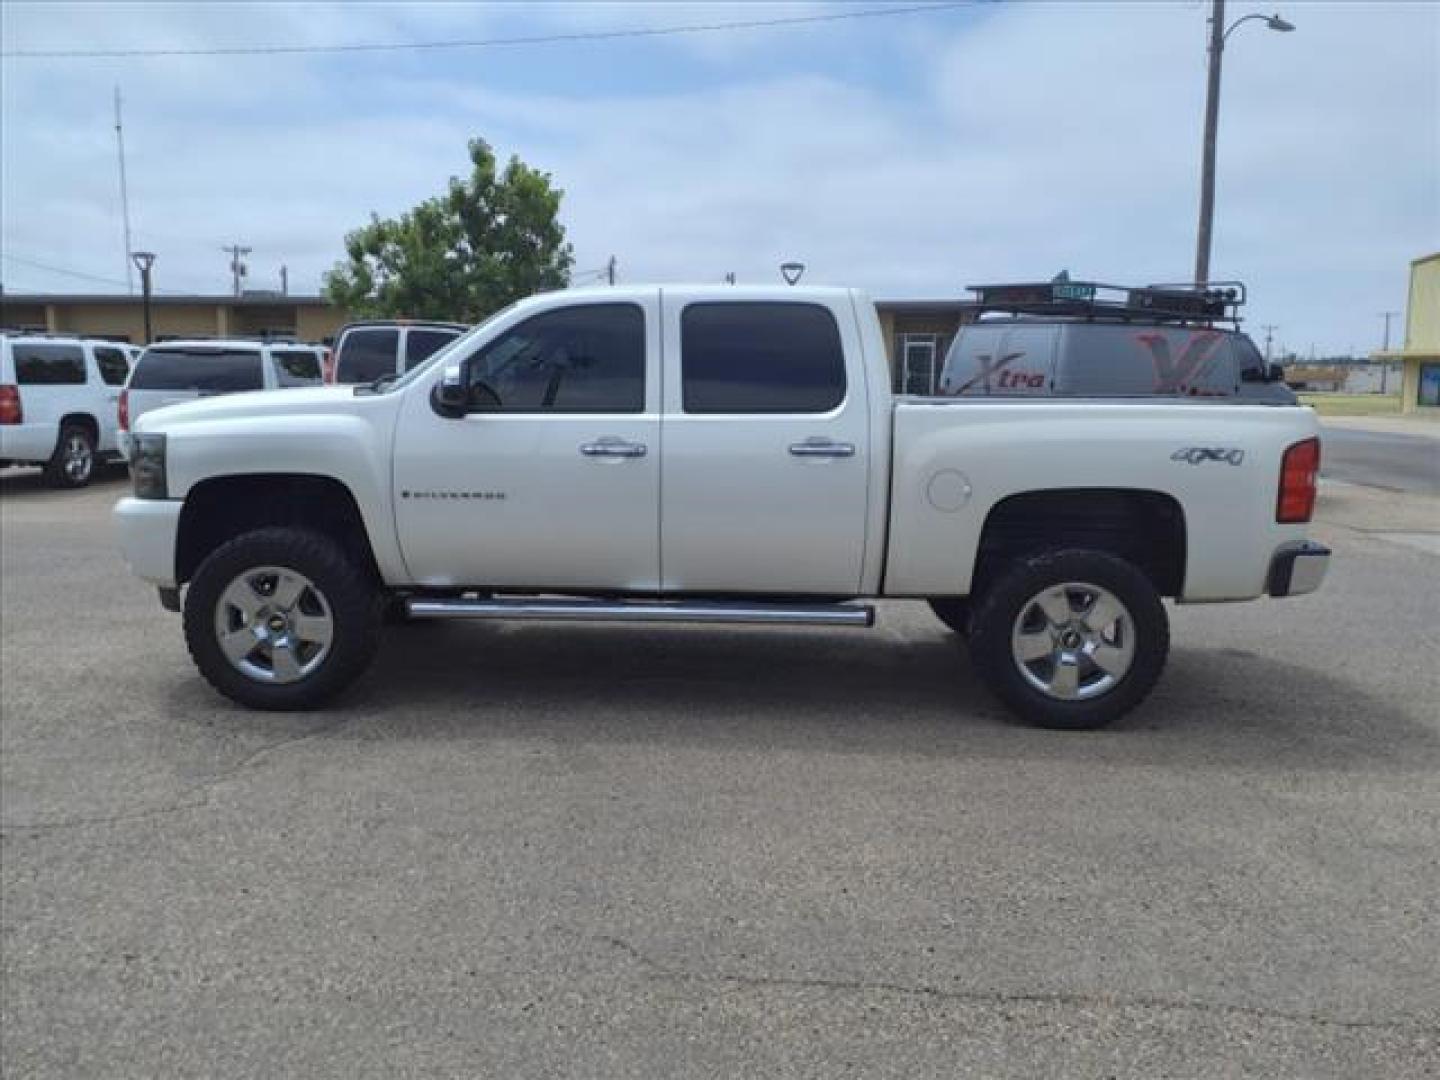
(1144, 528)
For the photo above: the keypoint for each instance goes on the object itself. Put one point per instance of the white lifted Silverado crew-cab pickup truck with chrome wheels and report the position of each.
(696, 454)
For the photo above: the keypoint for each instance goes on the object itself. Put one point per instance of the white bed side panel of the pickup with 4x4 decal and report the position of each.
(957, 460)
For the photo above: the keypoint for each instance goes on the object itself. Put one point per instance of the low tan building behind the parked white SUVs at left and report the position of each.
(123, 319)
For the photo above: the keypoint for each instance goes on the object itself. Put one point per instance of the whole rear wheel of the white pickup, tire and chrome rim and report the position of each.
(1071, 640)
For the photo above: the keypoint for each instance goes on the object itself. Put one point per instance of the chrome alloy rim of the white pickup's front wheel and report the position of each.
(274, 626)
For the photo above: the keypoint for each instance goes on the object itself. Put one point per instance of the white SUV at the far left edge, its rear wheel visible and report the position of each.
(58, 400)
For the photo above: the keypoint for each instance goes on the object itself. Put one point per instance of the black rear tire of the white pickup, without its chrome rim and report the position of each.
(1002, 604)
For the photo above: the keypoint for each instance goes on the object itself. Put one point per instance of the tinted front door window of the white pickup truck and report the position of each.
(590, 358)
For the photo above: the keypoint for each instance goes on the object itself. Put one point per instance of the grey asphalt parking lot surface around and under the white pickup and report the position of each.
(538, 852)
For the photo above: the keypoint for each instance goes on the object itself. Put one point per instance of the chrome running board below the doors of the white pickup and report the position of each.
(643, 611)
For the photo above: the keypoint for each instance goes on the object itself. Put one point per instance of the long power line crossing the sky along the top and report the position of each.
(490, 42)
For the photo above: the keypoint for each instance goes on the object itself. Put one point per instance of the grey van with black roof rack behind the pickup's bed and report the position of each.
(1089, 341)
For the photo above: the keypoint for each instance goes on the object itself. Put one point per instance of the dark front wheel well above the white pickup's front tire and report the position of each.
(220, 510)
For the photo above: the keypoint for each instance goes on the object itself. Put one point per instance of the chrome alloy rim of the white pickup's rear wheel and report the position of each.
(1074, 642)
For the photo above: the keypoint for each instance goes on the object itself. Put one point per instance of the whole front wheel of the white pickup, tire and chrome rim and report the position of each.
(282, 618)
